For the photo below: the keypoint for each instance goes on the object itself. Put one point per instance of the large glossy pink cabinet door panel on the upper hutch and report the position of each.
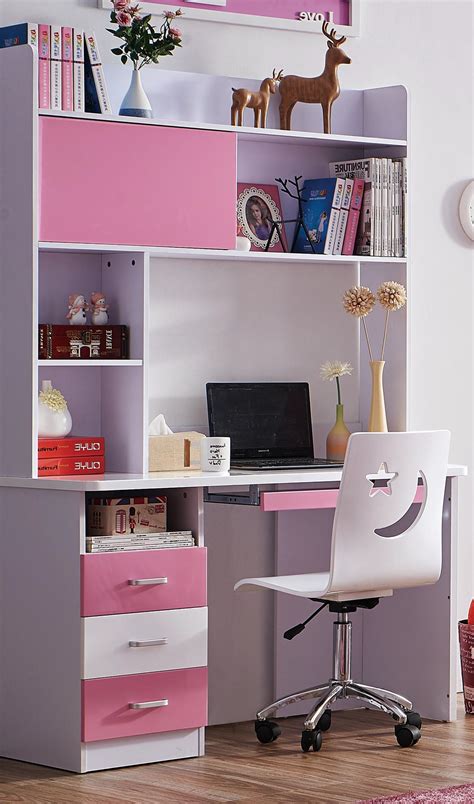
(133, 184)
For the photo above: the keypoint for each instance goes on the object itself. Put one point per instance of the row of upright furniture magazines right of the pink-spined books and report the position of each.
(381, 231)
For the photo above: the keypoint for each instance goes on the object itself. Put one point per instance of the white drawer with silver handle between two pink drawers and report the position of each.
(115, 645)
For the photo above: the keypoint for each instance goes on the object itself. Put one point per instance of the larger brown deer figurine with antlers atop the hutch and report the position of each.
(323, 89)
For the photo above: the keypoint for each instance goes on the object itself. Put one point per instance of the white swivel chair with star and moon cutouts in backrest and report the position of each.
(380, 542)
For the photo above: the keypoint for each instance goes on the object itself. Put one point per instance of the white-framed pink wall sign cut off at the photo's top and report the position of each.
(343, 14)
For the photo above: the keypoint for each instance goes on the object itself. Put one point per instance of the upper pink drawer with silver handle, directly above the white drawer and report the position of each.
(152, 580)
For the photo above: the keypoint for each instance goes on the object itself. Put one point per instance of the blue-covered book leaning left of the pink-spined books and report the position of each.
(323, 198)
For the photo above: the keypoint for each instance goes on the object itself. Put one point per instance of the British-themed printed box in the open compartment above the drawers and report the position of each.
(119, 515)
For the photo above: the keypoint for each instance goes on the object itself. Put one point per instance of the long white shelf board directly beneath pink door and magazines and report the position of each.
(215, 254)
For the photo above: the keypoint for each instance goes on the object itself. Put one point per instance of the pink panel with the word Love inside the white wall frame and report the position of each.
(302, 11)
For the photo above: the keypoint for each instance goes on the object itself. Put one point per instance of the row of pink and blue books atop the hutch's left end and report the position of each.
(70, 72)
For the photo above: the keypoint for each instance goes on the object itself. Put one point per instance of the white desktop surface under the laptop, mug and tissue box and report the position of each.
(170, 480)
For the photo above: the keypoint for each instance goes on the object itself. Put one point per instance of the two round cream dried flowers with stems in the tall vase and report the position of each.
(360, 301)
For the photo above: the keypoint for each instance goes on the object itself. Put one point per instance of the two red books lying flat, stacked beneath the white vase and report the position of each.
(71, 456)
